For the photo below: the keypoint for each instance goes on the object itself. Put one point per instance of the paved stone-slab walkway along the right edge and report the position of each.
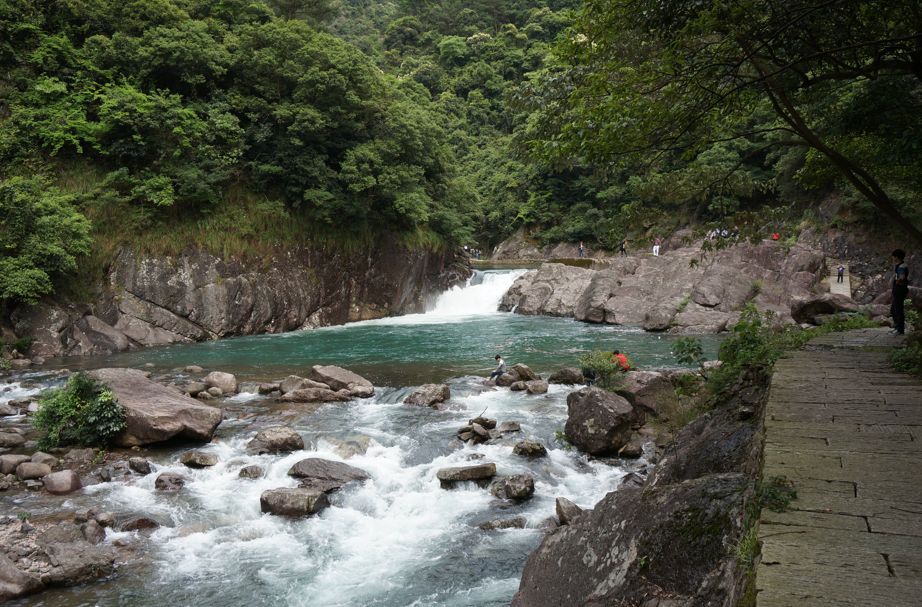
(847, 430)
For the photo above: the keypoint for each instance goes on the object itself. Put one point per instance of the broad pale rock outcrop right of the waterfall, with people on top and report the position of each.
(681, 291)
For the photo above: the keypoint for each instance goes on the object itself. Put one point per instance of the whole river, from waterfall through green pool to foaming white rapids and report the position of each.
(396, 540)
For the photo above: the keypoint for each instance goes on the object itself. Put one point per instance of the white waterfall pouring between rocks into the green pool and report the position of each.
(479, 296)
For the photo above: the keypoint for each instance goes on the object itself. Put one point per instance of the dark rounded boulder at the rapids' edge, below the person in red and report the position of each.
(598, 422)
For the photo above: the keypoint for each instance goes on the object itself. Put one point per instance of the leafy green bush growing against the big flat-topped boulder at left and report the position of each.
(84, 413)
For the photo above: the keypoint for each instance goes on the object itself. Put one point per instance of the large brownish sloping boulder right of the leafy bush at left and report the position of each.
(156, 413)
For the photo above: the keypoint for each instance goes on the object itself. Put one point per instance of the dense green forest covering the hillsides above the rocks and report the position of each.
(238, 125)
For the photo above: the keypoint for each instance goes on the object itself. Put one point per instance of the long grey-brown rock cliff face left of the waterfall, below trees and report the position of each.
(197, 296)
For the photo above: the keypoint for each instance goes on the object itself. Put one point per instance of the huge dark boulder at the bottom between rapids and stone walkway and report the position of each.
(639, 543)
